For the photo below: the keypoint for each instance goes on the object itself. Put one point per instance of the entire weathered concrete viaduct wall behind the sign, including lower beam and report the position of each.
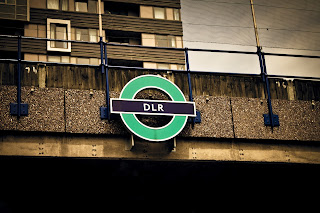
(65, 121)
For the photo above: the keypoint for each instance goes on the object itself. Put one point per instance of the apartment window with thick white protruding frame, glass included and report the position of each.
(61, 30)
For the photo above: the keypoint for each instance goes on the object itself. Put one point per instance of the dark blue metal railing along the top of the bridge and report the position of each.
(21, 109)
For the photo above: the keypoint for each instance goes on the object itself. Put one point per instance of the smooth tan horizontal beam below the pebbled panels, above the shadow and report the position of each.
(185, 149)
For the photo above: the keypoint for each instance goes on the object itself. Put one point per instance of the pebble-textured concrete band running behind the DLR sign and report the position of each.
(77, 111)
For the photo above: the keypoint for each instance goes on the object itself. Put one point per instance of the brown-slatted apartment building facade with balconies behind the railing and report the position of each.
(133, 23)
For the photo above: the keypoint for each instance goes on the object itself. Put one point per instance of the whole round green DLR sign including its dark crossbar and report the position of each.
(128, 107)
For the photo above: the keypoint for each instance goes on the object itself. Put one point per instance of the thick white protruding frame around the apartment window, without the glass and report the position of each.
(59, 21)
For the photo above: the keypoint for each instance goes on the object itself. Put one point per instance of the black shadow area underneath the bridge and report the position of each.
(91, 185)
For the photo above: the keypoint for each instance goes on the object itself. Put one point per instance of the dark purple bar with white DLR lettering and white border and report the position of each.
(152, 107)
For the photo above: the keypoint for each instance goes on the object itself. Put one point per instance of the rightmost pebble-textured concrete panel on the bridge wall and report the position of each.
(299, 120)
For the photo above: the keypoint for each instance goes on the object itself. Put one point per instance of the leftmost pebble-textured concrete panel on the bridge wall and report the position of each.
(46, 109)
